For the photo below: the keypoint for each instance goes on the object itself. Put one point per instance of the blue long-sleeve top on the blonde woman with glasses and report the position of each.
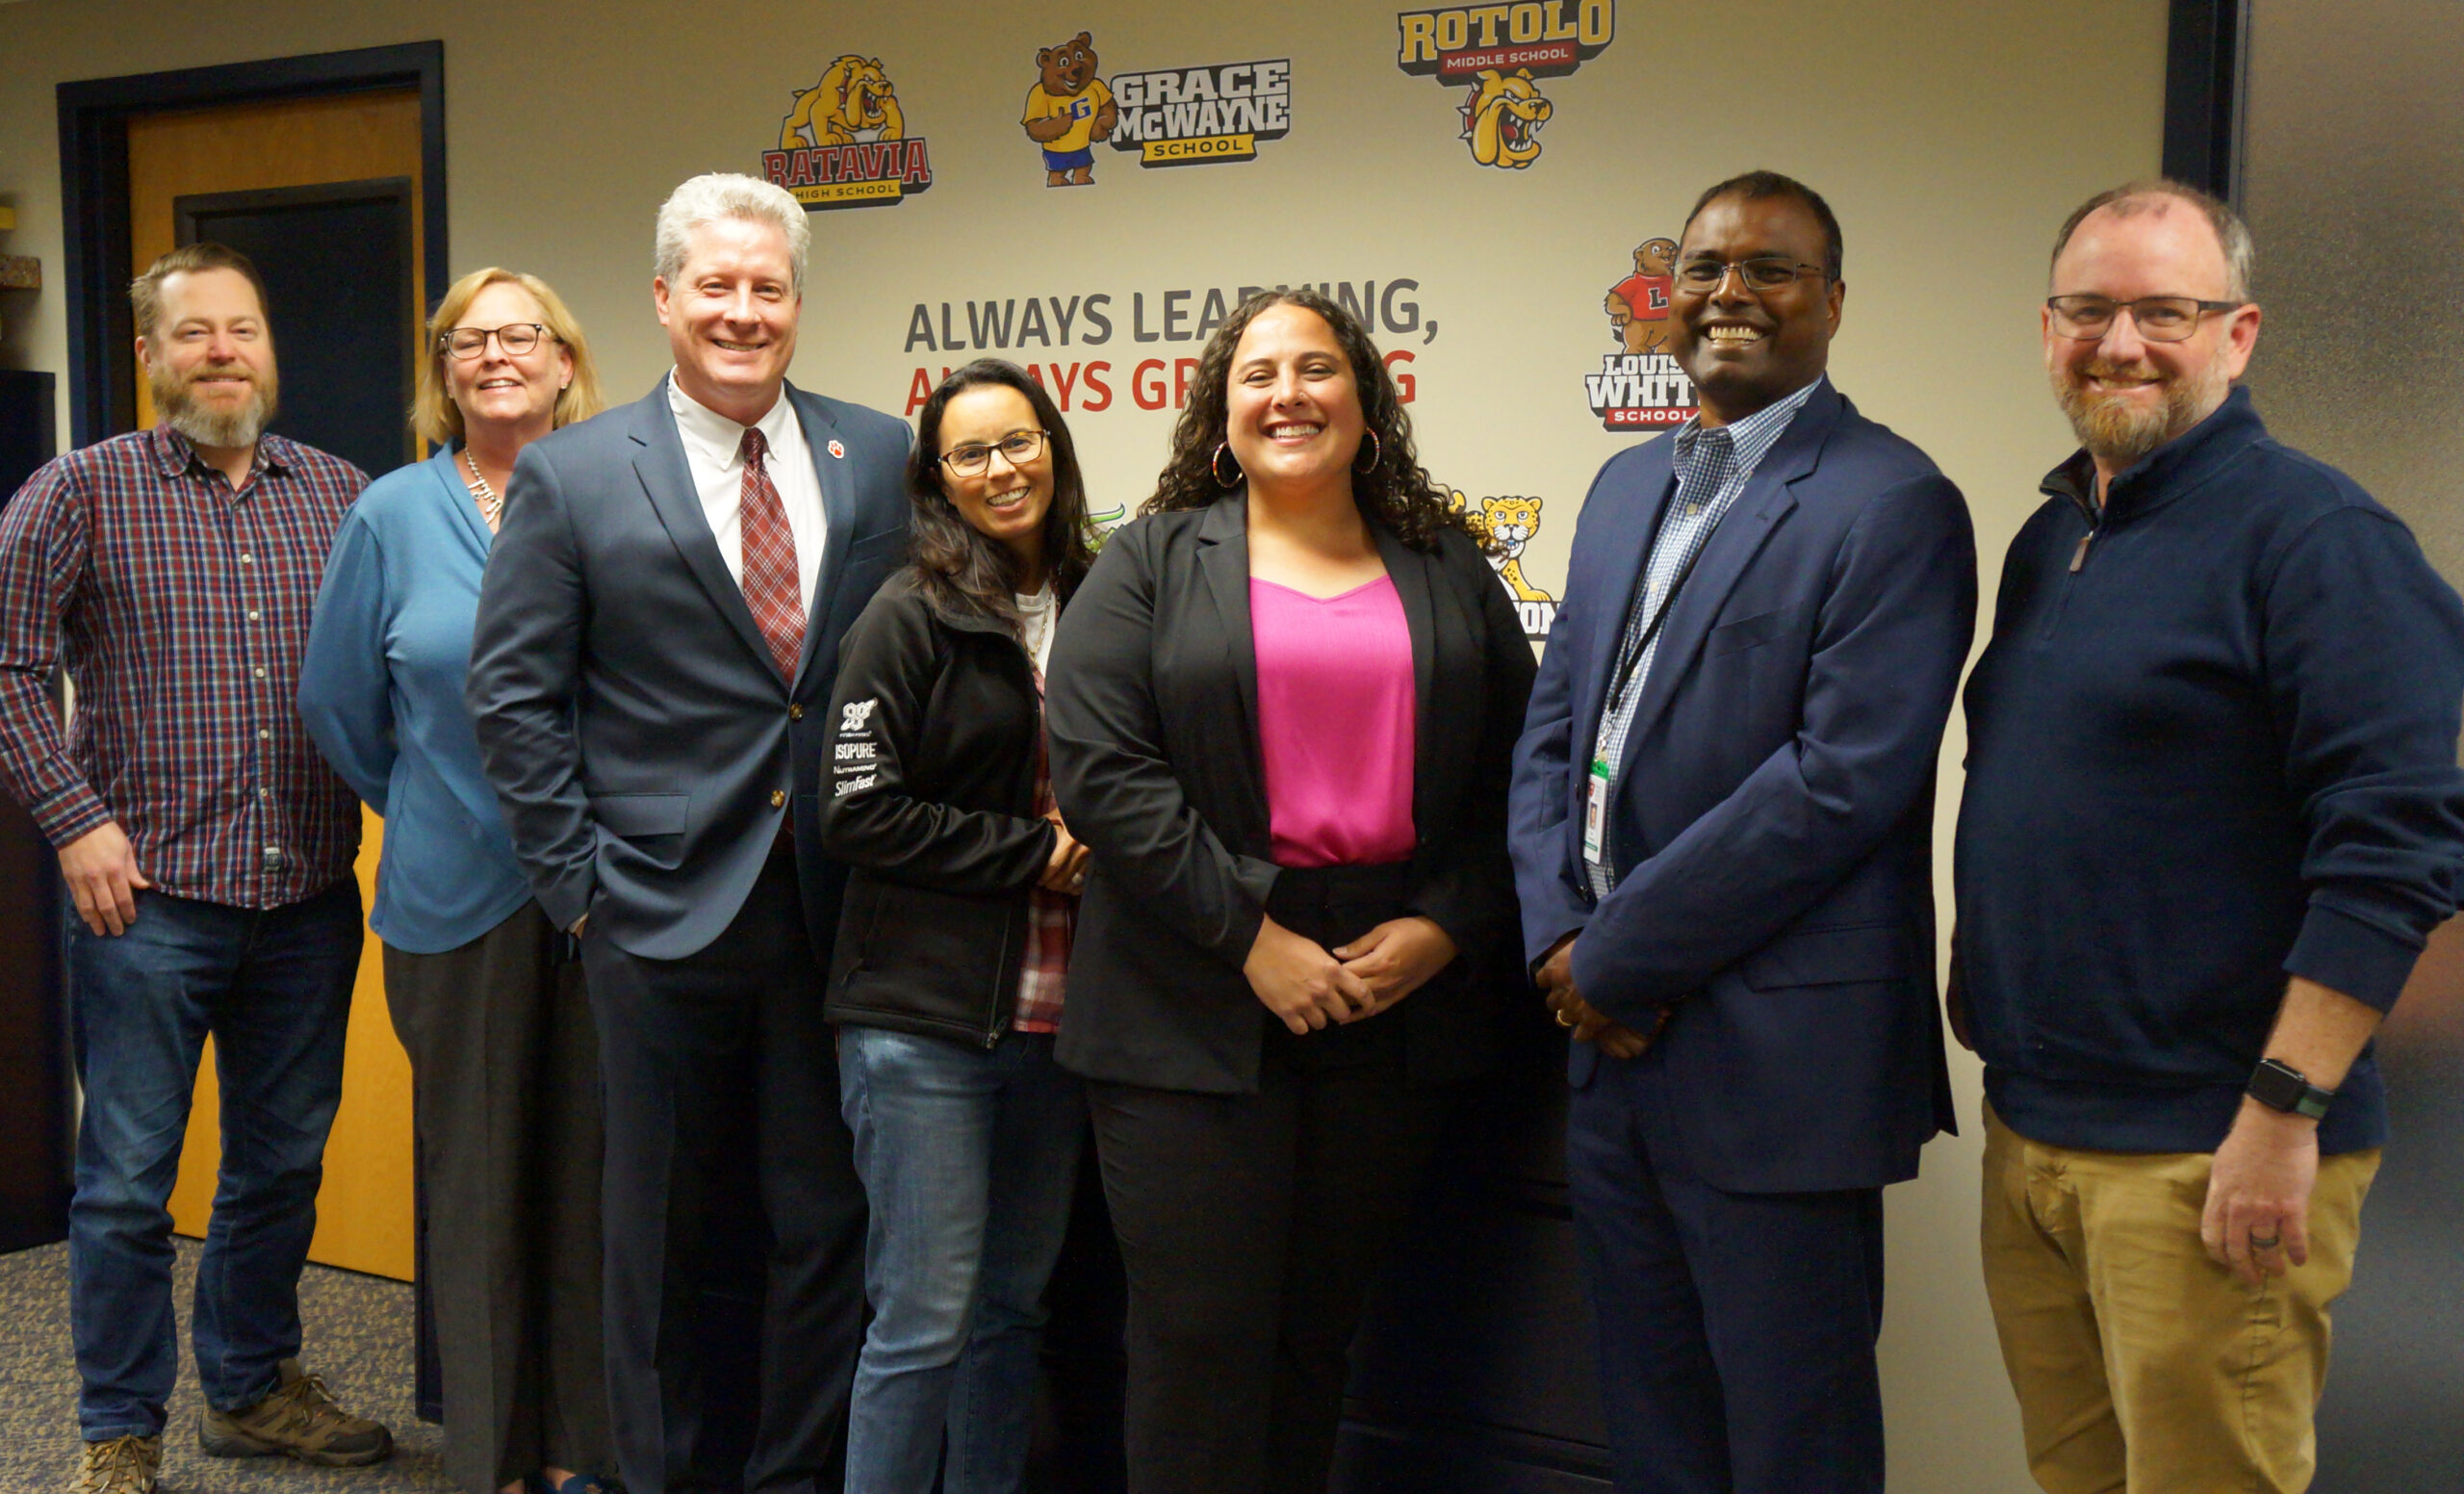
(383, 696)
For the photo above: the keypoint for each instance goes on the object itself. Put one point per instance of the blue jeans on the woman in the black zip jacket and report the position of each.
(970, 1157)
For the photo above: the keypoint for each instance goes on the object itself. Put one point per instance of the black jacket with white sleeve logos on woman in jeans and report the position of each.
(928, 793)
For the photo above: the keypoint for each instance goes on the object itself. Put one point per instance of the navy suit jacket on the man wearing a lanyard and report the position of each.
(1773, 822)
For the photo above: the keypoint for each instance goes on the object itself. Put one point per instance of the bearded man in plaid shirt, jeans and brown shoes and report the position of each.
(208, 852)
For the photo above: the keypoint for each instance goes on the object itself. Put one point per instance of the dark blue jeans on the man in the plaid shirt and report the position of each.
(275, 992)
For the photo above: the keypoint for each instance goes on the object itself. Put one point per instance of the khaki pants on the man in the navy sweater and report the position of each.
(2140, 1365)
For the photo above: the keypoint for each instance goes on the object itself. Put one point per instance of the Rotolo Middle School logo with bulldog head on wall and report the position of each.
(1499, 53)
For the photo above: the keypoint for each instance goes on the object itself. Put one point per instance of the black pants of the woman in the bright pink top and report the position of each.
(1253, 1224)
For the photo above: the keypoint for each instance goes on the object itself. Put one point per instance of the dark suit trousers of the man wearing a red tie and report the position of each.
(716, 1061)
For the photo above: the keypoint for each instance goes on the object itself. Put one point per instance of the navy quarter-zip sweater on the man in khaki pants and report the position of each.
(2214, 743)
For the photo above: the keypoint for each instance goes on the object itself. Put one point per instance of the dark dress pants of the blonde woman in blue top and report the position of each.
(506, 1106)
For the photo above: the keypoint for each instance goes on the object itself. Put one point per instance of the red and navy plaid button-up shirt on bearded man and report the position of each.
(179, 608)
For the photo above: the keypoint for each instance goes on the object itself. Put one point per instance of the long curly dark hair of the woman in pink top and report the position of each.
(1396, 492)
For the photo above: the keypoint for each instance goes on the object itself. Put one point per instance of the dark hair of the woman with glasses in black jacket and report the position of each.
(957, 566)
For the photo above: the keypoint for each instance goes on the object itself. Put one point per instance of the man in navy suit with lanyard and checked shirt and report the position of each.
(1724, 847)
